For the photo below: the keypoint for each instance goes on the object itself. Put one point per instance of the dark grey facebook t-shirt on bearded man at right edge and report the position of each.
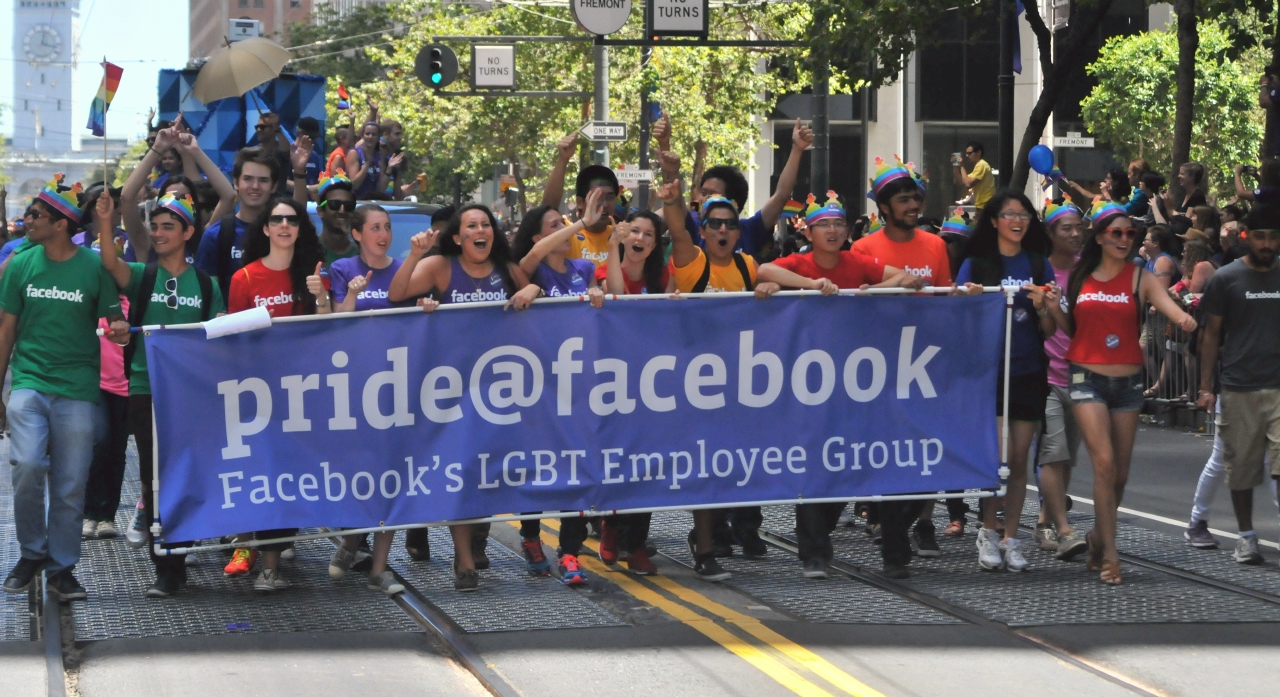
(1249, 302)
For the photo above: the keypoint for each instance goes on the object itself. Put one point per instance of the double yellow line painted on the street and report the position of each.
(771, 653)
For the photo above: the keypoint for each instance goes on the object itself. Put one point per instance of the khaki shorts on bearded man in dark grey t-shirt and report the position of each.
(1250, 427)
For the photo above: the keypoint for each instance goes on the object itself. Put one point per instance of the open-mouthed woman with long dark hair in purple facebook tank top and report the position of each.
(476, 265)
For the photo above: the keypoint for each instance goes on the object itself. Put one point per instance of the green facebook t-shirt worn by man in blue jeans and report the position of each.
(58, 305)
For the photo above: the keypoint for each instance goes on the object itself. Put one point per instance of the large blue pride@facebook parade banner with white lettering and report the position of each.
(386, 420)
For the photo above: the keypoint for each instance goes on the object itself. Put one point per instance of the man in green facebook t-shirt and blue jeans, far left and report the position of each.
(53, 295)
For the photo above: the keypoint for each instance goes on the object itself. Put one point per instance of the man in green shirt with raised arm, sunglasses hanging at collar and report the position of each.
(170, 292)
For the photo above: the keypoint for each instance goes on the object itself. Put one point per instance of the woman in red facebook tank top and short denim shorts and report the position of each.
(1107, 294)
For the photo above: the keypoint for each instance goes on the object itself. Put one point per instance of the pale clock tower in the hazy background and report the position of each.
(44, 45)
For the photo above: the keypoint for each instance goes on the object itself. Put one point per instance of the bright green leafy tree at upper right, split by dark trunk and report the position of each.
(1131, 109)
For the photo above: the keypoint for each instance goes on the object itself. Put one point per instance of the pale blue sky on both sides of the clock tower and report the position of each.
(141, 36)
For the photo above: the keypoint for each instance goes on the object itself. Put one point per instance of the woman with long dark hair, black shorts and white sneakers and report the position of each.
(1009, 249)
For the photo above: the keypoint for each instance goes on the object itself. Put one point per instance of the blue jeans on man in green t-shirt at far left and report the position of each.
(52, 438)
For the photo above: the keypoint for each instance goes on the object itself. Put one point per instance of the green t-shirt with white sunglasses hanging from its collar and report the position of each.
(173, 302)
